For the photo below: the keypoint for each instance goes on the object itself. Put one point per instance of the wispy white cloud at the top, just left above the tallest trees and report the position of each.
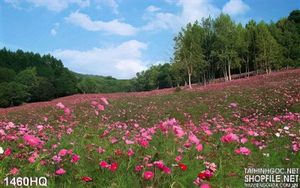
(192, 10)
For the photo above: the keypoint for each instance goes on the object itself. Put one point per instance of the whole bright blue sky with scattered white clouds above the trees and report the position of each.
(116, 37)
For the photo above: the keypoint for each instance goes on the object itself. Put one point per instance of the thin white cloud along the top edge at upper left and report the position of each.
(53, 5)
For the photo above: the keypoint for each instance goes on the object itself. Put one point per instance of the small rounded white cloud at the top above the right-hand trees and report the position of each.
(235, 7)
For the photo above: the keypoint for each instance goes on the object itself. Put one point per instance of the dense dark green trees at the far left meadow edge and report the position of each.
(29, 77)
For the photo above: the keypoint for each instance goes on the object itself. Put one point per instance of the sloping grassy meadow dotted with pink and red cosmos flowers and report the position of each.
(165, 138)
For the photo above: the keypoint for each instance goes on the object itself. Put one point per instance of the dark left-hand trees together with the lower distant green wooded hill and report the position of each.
(30, 77)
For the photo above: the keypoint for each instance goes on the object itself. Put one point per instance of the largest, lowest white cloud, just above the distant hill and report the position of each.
(122, 61)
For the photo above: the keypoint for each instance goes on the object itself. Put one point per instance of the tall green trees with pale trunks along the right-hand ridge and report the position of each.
(219, 48)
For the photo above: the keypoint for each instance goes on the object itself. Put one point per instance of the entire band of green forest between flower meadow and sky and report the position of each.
(203, 51)
